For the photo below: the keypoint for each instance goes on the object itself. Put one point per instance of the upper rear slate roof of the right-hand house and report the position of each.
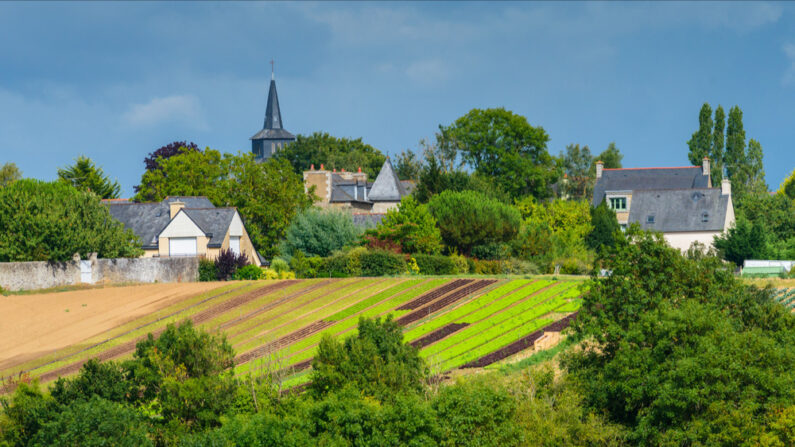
(648, 179)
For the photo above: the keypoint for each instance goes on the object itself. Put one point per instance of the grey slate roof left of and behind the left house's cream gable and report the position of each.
(147, 220)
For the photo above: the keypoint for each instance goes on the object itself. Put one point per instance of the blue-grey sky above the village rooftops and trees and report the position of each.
(115, 81)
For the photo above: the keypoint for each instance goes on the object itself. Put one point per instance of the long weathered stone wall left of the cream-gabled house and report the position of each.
(43, 275)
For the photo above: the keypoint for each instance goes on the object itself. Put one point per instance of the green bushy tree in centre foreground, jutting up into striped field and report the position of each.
(375, 360)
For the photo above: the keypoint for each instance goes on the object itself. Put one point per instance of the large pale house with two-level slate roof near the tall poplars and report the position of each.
(680, 202)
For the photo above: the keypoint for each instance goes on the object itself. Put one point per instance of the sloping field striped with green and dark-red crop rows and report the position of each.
(276, 325)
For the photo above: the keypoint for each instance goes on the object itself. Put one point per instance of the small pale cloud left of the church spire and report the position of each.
(174, 109)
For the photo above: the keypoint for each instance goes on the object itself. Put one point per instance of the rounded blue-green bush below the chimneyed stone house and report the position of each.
(316, 232)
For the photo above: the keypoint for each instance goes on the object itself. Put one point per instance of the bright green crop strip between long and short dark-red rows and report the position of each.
(486, 301)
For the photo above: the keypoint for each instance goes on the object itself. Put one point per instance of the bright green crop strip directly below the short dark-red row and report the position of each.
(539, 305)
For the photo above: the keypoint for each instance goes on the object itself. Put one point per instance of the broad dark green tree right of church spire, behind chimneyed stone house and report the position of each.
(333, 152)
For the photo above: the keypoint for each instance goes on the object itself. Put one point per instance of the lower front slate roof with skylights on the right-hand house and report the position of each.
(679, 209)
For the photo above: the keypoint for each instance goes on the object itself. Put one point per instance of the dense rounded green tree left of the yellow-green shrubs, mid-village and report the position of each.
(468, 219)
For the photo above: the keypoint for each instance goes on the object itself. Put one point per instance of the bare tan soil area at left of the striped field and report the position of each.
(36, 325)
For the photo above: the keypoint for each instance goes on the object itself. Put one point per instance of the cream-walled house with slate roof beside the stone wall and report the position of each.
(184, 226)
